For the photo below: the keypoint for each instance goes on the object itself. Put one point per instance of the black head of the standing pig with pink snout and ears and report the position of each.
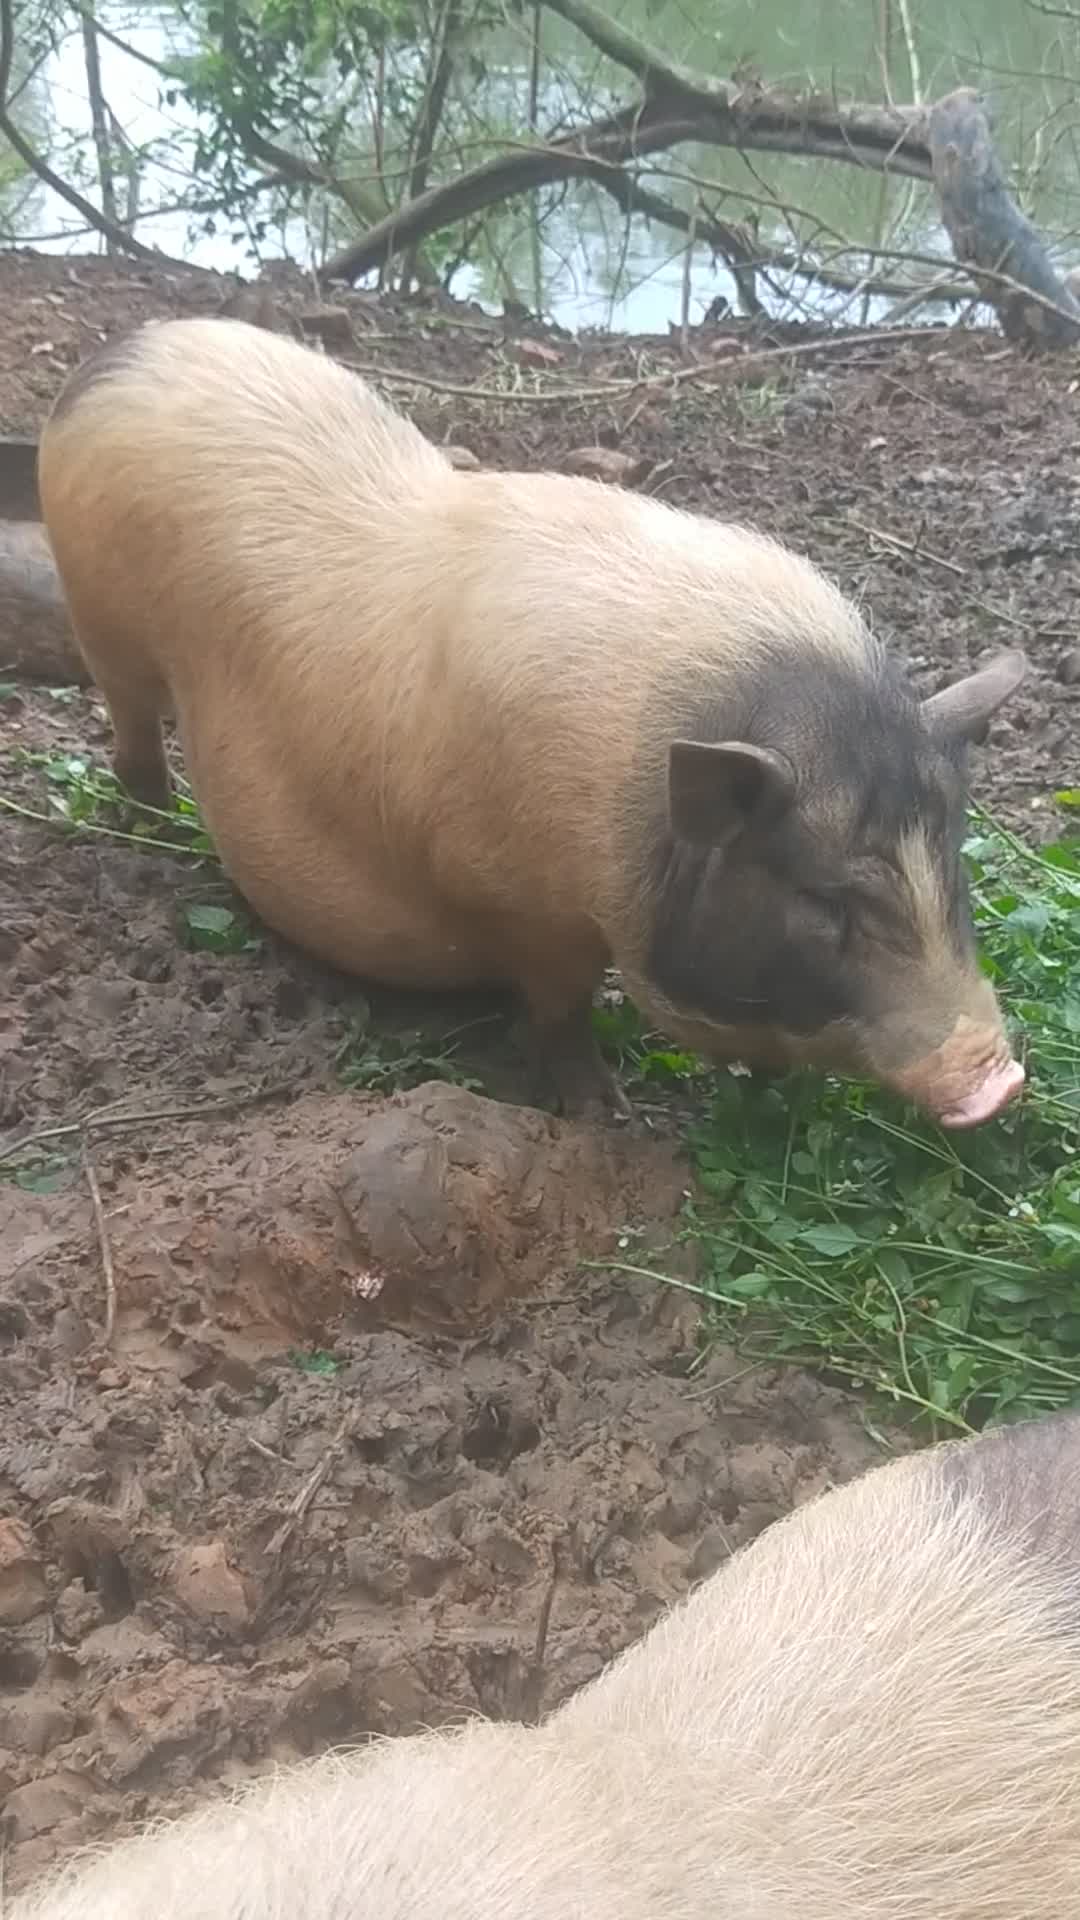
(812, 903)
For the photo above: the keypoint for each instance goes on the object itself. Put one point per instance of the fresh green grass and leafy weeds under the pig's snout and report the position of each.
(833, 1226)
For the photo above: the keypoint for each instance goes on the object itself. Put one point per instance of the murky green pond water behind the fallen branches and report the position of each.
(570, 251)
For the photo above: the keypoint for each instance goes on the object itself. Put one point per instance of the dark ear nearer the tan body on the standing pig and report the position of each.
(716, 790)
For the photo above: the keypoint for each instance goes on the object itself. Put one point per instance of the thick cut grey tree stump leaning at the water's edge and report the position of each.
(989, 231)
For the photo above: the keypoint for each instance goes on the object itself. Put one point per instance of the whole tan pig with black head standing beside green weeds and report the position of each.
(510, 729)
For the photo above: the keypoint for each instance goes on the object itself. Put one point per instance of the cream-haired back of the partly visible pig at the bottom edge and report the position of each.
(873, 1714)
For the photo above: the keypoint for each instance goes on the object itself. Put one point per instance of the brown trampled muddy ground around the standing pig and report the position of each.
(310, 1406)
